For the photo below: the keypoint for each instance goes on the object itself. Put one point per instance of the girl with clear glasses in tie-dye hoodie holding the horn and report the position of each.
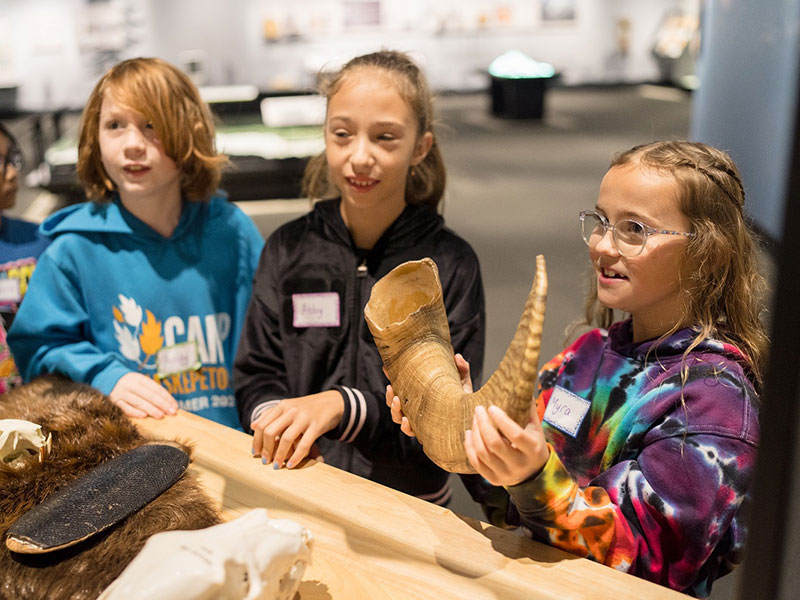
(641, 449)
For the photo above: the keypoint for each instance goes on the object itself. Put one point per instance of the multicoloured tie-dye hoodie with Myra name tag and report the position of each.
(646, 474)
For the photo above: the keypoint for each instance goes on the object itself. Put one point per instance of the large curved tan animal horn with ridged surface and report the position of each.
(406, 316)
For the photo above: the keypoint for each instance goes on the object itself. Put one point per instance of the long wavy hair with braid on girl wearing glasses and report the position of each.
(723, 286)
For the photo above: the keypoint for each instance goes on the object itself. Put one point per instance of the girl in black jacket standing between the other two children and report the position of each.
(307, 375)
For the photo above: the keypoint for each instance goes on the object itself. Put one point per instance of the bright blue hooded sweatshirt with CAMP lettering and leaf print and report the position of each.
(109, 293)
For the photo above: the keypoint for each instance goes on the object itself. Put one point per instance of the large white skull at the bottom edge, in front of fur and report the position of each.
(252, 557)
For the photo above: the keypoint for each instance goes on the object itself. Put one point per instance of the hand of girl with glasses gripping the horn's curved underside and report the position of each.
(503, 452)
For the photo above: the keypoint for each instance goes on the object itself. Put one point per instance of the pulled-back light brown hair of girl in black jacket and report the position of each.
(425, 182)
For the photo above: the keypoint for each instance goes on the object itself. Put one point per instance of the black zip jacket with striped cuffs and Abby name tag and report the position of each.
(277, 359)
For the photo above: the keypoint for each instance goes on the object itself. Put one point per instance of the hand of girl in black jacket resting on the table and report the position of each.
(287, 432)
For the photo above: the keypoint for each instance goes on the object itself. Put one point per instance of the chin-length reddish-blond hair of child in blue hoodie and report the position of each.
(167, 98)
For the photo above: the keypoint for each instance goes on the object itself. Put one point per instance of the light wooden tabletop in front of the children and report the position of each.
(372, 541)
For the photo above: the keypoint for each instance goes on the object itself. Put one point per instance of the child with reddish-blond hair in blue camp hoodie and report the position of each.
(143, 290)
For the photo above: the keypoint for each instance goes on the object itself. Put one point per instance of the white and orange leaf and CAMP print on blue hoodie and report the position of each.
(141, 336)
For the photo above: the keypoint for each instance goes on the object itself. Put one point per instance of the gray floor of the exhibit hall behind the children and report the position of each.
(515, 189)
